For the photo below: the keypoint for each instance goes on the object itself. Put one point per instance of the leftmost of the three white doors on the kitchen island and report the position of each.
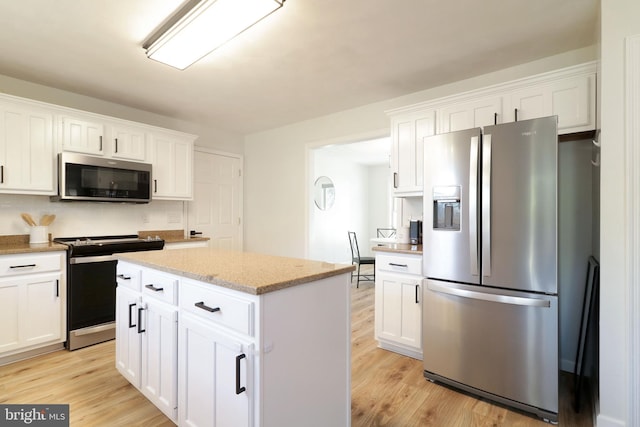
(128, 338)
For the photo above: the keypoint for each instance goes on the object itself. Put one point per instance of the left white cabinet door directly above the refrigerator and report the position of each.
(467, 115)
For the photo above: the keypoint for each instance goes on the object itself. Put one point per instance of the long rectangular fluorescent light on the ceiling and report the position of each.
(202, 26)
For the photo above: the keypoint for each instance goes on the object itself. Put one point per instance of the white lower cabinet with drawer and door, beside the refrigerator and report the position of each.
(398, 303)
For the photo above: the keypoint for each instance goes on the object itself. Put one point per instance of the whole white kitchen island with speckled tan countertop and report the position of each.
(216, 337)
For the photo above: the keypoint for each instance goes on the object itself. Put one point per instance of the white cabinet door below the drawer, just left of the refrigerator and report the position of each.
(398, 313)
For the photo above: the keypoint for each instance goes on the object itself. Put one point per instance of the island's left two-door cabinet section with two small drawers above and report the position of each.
(147, 335)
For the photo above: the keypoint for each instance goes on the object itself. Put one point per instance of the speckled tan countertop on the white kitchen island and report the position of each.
(248, 272)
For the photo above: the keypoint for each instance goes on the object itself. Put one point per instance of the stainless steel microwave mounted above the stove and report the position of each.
(90, 178)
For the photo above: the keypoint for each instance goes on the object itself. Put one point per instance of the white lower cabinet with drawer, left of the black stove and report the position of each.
(32, 302)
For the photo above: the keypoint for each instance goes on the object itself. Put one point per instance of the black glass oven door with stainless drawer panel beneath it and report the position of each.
(92, 300)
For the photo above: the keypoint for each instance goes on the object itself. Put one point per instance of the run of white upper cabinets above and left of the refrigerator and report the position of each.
(569, 93)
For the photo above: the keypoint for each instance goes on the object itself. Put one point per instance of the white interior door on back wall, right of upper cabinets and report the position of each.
(216, 209)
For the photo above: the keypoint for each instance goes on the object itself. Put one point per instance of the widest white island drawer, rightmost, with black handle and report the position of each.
(217, 306)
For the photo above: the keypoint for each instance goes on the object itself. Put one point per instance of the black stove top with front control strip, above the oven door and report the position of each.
(107, 245)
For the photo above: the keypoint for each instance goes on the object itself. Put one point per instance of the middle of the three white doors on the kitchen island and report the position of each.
(160, 356)
